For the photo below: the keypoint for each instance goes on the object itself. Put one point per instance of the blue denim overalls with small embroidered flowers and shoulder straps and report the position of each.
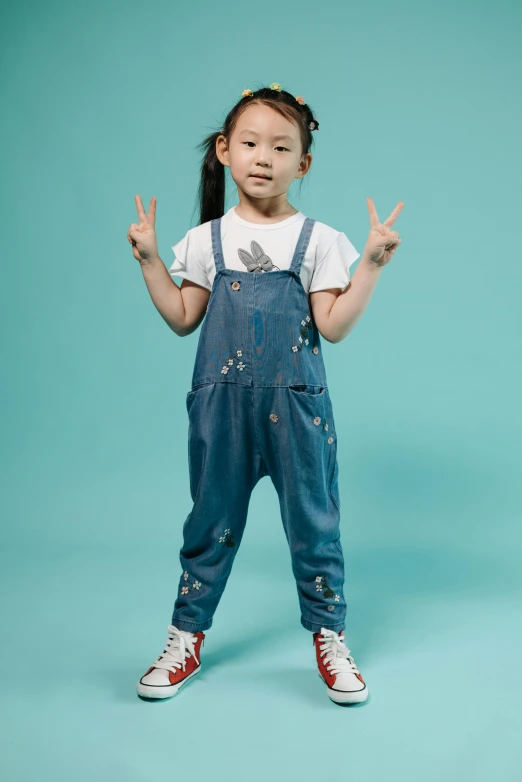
(259, 405)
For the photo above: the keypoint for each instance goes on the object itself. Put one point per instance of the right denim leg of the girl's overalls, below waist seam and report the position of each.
(300, 451)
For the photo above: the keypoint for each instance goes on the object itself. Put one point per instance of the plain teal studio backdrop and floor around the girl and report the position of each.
(417, 102)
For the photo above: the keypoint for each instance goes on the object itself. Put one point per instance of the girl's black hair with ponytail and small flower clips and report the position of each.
(211, 192)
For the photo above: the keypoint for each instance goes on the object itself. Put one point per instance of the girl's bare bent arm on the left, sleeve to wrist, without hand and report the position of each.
(183, 308)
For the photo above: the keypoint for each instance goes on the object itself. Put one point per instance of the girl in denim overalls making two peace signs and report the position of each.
(268, 281)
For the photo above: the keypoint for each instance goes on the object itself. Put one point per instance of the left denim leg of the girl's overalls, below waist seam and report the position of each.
(225, 465)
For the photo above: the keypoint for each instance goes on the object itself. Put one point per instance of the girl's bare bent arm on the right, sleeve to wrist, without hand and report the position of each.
(336, 313)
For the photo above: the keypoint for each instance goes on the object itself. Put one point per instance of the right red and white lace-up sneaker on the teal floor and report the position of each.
(337, 669)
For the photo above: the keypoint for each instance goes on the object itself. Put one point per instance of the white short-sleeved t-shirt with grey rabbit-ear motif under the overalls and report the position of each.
(325, 265)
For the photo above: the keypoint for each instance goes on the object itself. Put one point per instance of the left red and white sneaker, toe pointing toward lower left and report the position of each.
(178, 663)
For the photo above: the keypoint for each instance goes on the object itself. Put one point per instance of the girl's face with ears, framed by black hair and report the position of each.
(267, 144)
